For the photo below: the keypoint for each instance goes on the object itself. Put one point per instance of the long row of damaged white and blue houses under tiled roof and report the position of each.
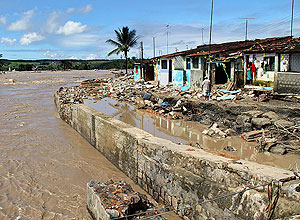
(228, 62)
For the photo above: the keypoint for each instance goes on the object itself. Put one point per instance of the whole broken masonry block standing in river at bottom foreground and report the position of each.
(116, 199)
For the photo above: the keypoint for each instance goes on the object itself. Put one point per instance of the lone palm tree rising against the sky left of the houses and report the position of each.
(125, 40)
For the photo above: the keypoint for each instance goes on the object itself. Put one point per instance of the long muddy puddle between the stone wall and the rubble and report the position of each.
(187, 132)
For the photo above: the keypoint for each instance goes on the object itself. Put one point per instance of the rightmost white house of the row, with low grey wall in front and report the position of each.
(278, 61)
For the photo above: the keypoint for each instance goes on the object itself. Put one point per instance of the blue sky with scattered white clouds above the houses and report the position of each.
(73, 29)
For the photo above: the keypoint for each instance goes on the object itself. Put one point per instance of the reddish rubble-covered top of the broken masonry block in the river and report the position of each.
(120, 201)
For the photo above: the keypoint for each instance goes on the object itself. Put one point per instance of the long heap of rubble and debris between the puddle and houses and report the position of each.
(237, 116)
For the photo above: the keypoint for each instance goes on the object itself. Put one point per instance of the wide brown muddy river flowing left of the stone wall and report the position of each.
(44, 164)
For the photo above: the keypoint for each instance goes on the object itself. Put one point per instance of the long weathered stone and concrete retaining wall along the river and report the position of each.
(180, 175)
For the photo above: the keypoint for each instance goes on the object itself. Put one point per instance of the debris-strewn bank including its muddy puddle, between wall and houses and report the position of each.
(183, 117)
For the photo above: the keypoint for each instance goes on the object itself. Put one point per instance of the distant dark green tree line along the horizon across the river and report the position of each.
(31, 65)
